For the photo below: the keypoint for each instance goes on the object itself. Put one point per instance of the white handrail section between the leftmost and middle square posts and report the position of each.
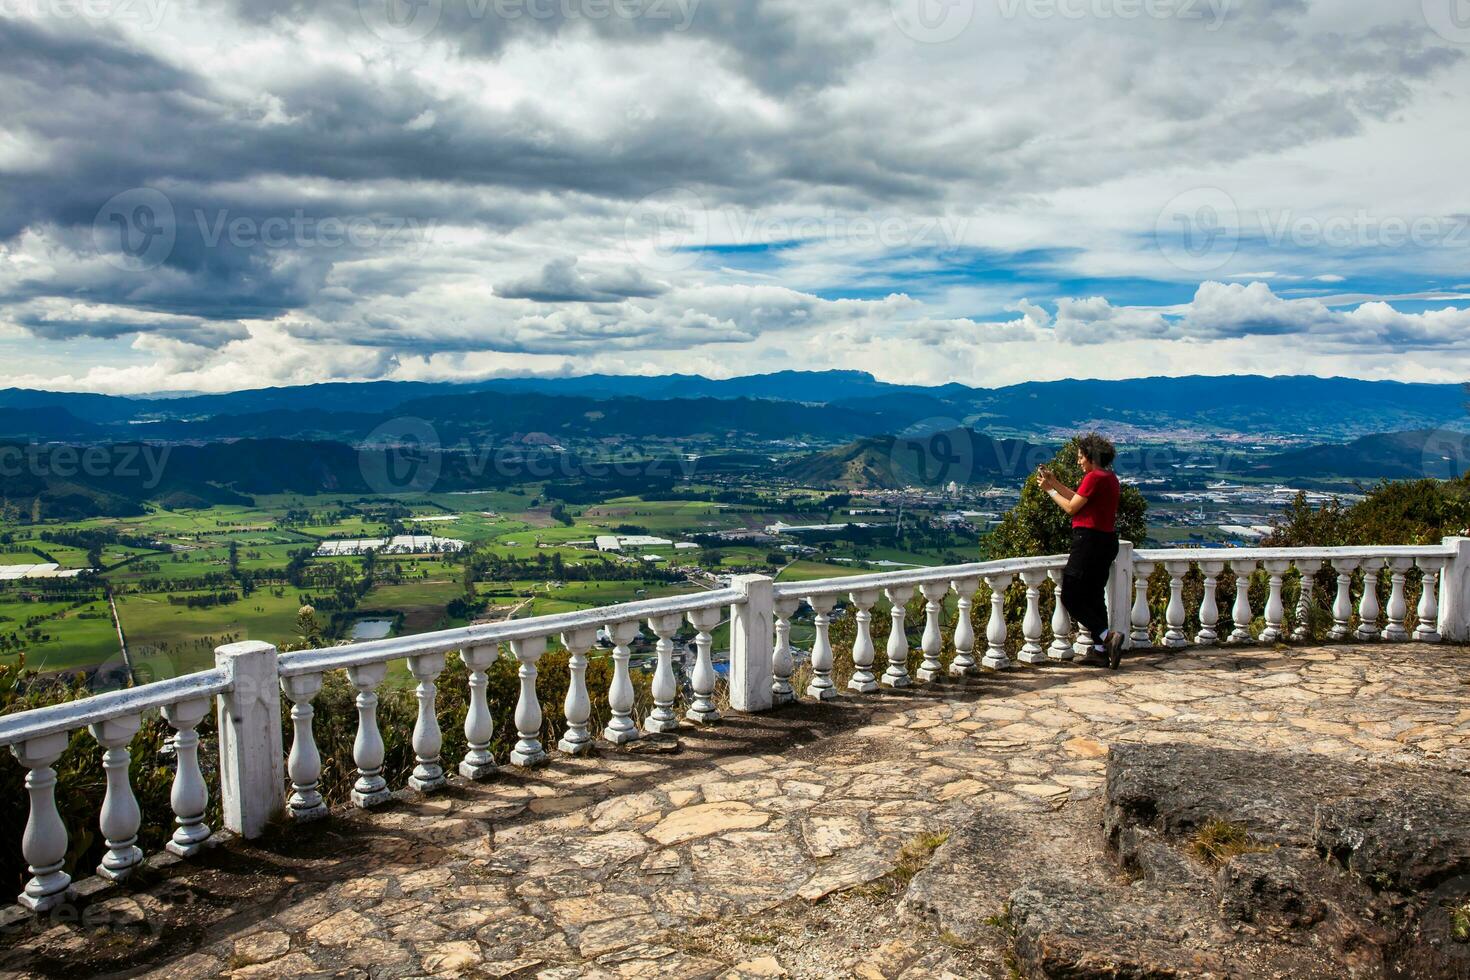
(311, 662)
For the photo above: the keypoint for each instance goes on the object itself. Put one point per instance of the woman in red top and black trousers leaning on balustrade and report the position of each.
(1093, 508)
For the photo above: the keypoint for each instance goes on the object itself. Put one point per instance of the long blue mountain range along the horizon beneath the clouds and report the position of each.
(820, 405)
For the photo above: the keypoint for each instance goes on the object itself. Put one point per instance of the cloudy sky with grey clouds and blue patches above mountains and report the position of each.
(217, 195)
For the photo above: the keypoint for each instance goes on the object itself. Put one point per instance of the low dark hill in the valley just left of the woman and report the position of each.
(933, 459)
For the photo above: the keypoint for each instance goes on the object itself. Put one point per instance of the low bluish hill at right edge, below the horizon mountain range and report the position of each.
(1400, 456)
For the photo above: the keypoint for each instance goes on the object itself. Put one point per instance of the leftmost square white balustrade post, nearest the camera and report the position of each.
(252, 765)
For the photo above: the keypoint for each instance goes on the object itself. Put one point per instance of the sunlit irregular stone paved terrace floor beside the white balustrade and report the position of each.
(767, 847)
